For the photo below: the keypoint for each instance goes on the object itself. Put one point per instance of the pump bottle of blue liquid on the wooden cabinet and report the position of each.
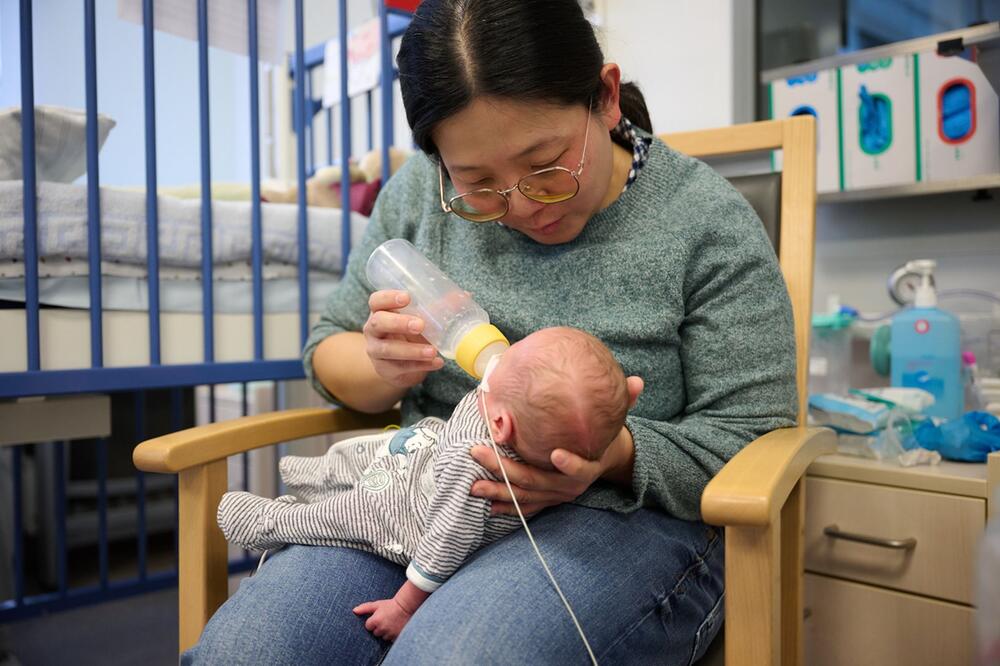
(926, 348)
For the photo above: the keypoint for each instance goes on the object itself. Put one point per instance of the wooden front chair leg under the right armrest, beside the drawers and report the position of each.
(753, 590)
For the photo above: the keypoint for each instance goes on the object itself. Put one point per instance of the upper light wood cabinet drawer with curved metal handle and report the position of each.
(946, 530)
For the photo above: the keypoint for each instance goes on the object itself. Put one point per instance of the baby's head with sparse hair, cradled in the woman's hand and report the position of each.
(559, 388)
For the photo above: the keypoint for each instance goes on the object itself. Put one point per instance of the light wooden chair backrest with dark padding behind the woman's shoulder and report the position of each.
(792, 229)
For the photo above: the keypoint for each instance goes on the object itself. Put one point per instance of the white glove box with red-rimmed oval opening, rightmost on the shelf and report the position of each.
(959, 119)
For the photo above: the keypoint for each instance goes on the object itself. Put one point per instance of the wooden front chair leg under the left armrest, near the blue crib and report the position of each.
(202, 571)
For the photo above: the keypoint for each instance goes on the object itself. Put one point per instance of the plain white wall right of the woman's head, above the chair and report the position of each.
(693, 60)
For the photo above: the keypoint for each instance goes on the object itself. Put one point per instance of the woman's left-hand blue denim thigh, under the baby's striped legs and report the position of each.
(297, 610)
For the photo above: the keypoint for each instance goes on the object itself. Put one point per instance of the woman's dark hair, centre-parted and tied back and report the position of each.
(535, 50)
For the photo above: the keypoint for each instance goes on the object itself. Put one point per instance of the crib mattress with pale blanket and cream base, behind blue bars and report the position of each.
(63, 270)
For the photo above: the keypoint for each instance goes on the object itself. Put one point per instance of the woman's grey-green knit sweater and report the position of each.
(677, 277)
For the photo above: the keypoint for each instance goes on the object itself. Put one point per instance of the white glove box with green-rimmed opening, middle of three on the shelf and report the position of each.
(878, 123)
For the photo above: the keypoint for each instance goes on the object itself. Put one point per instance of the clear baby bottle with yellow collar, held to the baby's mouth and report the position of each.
(454, 323)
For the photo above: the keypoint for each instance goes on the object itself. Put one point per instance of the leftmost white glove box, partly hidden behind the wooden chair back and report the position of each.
(814, 94)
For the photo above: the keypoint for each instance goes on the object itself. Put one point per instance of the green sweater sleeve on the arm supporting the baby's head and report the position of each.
(737, 351)
